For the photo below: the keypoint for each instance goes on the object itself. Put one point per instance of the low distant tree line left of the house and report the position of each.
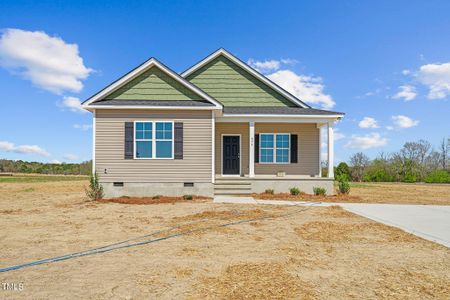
(20, 166)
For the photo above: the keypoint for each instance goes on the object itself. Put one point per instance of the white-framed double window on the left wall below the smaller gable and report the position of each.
(154, 140)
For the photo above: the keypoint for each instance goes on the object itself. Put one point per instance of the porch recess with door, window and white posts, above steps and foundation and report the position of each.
(244, 149)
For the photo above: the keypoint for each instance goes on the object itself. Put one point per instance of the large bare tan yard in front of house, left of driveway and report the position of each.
(293, 253)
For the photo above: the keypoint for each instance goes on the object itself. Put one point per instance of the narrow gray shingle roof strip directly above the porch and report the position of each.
(238, 110)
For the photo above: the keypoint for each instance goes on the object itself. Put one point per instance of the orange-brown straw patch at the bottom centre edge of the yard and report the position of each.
(254, 281)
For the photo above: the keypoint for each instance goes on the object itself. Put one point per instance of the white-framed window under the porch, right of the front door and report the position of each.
(274, 148)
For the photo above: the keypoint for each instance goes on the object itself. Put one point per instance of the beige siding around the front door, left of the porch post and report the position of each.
(232, 128)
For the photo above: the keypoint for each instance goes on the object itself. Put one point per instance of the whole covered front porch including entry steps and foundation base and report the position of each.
(254, 154)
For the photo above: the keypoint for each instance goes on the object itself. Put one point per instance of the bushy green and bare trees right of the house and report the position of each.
(415, 162)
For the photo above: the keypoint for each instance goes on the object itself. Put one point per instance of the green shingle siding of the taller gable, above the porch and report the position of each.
(233, 86)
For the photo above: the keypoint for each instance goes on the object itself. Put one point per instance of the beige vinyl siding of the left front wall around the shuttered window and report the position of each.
(194, 167)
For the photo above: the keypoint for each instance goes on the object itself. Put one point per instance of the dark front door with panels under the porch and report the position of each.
(231, 155)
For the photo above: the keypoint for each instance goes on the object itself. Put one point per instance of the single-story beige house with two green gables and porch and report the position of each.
(218, 128)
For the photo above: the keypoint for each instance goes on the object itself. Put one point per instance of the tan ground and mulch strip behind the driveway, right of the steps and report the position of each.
(388, 193)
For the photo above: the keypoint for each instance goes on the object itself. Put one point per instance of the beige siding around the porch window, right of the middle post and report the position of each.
(308, 149)
